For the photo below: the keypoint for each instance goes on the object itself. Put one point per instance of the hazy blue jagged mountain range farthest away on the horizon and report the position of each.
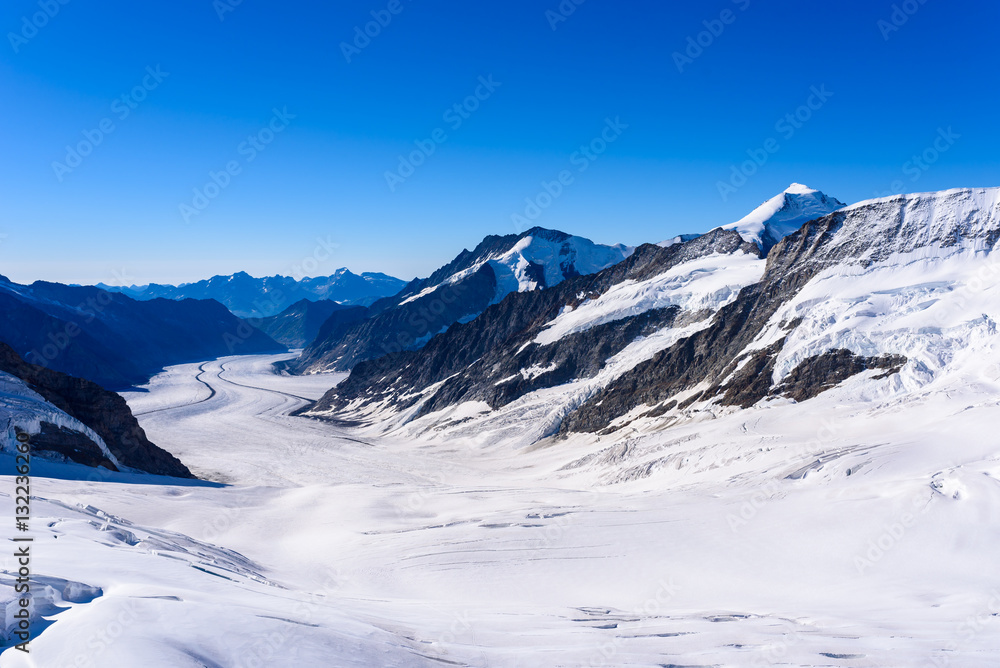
(250, 297)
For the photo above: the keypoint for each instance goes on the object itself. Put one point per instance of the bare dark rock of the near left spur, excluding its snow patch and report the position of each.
(103, 411)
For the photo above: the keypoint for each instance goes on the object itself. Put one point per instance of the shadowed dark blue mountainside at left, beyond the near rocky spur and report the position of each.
(114, 340)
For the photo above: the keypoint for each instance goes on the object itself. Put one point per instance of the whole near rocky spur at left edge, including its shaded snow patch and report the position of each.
(74, 420)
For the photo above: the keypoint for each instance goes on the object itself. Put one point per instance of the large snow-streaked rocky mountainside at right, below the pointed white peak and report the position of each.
(878, 291)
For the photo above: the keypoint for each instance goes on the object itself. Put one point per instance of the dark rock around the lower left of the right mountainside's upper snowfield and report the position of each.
(482, 360)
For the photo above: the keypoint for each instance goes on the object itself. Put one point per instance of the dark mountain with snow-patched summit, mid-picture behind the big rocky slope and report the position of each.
(458, 292)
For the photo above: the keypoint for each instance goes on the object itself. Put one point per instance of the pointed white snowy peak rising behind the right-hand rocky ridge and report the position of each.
(783, 214)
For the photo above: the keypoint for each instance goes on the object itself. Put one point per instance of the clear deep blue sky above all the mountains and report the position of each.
(895, 78)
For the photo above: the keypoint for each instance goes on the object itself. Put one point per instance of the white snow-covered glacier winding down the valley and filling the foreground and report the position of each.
(849, 533)
